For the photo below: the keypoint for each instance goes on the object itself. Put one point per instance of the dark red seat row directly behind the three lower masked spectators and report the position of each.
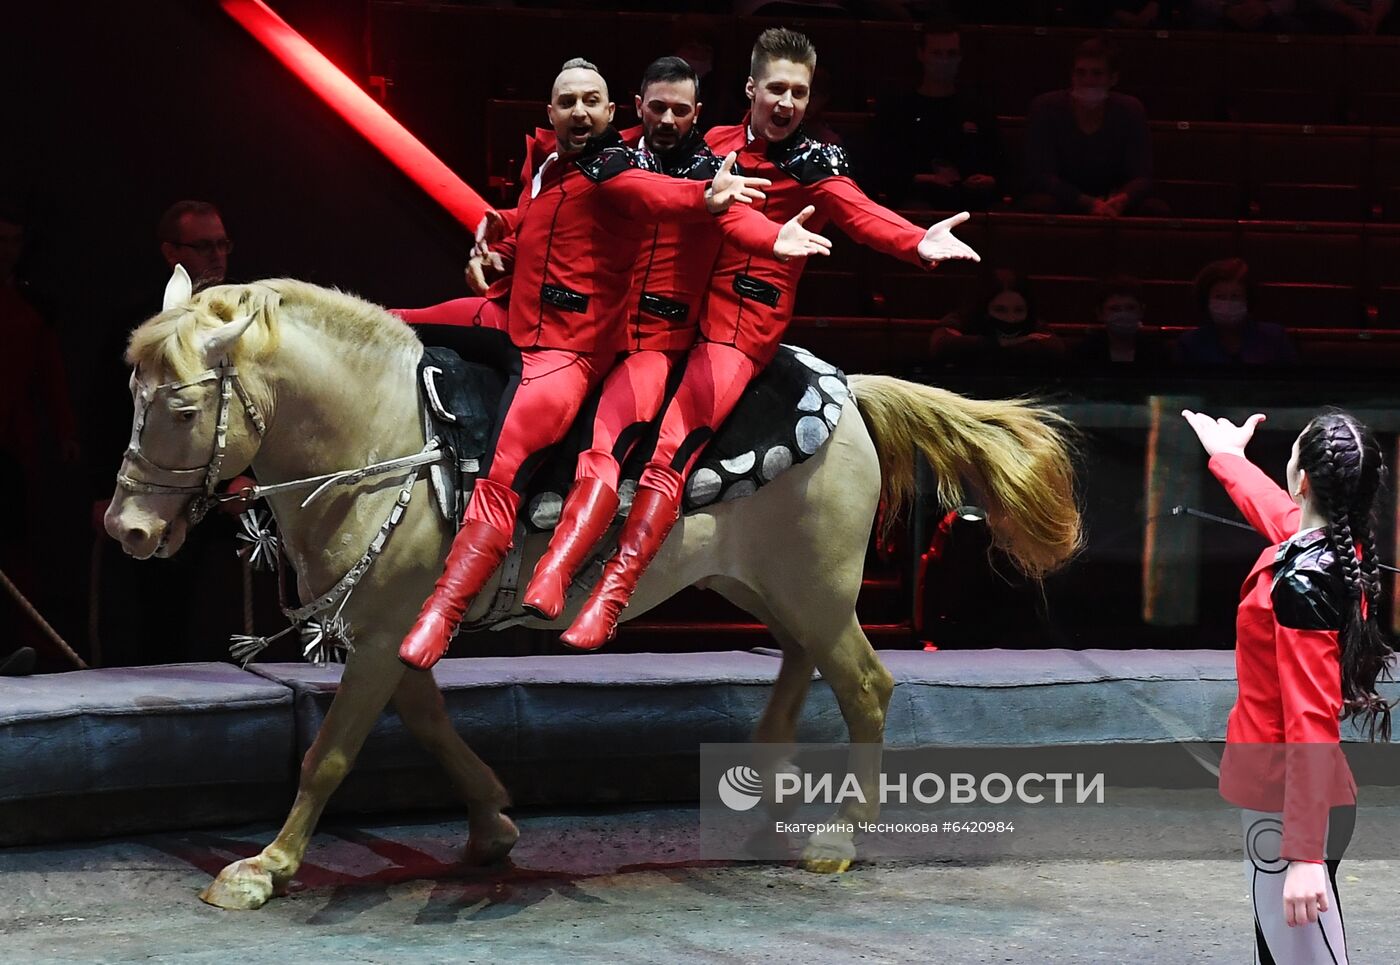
(1307, 275)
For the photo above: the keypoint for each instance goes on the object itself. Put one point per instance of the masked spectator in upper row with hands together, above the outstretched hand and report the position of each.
(1088, 149)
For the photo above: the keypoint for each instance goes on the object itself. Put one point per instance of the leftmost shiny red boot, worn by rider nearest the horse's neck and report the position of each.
(478, 550)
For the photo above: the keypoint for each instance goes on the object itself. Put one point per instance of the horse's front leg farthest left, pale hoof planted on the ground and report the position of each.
(370, 677)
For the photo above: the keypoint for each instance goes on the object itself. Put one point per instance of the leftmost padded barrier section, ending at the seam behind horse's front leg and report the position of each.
(107, 751)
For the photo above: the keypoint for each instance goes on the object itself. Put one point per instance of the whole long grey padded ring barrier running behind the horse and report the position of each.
(117, 751)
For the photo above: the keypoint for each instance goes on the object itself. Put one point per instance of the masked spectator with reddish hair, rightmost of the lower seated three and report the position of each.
(1228, 335)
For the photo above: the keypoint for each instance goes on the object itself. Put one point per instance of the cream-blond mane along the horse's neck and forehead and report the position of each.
(171, 340)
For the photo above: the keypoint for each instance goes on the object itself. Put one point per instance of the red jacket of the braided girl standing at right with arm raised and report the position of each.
(1283, 740)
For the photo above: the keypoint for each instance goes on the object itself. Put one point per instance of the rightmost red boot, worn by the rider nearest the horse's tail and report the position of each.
(649, 522)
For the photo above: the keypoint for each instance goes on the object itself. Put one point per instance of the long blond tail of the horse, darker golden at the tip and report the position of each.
(1017, 454)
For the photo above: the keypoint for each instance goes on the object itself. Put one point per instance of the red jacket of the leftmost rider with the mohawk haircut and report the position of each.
(576, 243)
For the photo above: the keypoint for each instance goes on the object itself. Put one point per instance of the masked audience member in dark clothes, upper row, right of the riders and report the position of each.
(934, 145)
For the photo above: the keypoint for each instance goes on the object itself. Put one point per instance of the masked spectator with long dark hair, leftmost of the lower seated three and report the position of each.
(999, 326)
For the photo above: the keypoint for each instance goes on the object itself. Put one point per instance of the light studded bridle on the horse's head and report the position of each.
(174, 482)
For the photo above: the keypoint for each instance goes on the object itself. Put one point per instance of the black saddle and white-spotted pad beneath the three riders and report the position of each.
(783, 419)
